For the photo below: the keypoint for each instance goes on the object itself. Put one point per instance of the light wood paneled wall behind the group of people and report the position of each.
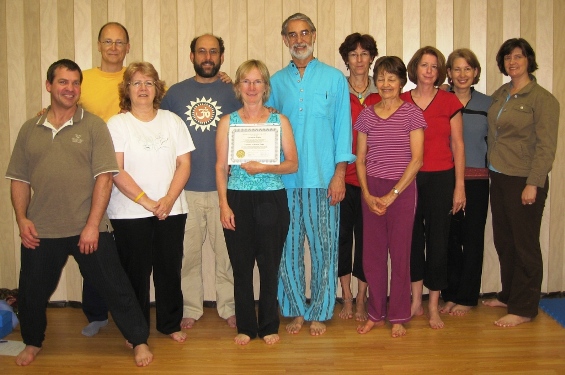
(34, 33)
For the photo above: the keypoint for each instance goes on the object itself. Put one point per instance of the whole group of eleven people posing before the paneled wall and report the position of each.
(410, 179)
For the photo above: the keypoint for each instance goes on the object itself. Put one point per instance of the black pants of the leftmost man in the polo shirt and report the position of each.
(40, 273)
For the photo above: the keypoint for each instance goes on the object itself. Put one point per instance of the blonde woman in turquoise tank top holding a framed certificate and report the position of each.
(253, 203)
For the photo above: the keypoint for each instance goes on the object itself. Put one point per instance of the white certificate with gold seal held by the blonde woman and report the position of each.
(254, 142)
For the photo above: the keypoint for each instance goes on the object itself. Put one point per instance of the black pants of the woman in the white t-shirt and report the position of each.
(149, 244)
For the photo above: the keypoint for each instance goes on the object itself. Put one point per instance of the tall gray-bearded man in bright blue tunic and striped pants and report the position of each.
(315, 97)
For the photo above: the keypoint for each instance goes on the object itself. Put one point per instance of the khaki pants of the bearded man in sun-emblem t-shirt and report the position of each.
(204, 221)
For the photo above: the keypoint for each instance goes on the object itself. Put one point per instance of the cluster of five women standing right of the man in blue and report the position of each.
(421, 188)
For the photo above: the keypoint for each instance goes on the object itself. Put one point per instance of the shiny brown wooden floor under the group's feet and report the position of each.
(470, 345)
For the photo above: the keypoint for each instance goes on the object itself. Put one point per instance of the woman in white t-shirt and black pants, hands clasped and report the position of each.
(148, 207)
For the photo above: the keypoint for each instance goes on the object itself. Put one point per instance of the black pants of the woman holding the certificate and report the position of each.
(261, 219)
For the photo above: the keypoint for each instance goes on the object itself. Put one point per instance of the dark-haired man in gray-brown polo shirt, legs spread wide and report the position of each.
(67, 157)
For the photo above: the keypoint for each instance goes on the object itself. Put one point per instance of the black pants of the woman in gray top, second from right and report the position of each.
(466, 246)
